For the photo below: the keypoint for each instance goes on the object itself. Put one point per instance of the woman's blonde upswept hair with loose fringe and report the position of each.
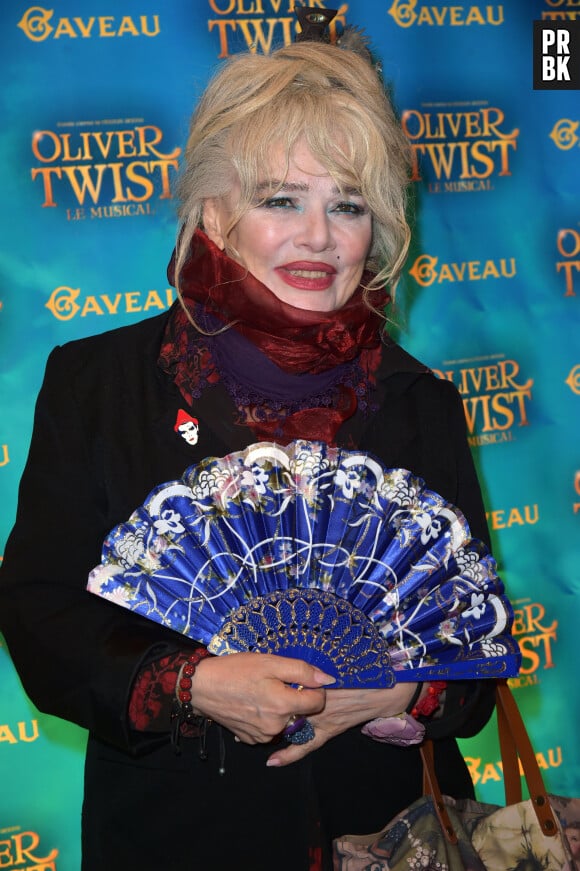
(331, 98)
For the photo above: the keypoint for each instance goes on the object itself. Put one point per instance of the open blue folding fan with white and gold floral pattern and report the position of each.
(317, 553)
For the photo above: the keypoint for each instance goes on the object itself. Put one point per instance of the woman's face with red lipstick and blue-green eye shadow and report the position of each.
(307, 242)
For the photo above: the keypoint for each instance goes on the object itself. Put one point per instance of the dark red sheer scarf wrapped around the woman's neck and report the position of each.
(299, 342)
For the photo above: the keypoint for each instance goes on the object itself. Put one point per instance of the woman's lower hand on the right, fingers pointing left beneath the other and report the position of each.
(344, 709)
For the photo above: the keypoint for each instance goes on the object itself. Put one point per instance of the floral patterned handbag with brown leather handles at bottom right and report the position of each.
(438, 833)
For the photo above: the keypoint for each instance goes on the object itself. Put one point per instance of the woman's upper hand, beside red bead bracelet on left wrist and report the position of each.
(250, 693)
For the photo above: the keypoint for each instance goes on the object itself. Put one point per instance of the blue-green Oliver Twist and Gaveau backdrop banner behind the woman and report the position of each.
(96, 101)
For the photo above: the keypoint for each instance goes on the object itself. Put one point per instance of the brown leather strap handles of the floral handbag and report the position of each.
(515, 746)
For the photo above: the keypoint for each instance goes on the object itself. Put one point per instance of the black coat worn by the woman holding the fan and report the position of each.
(103, 438)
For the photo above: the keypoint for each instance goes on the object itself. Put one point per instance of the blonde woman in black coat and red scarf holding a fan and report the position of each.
(292, 223)
